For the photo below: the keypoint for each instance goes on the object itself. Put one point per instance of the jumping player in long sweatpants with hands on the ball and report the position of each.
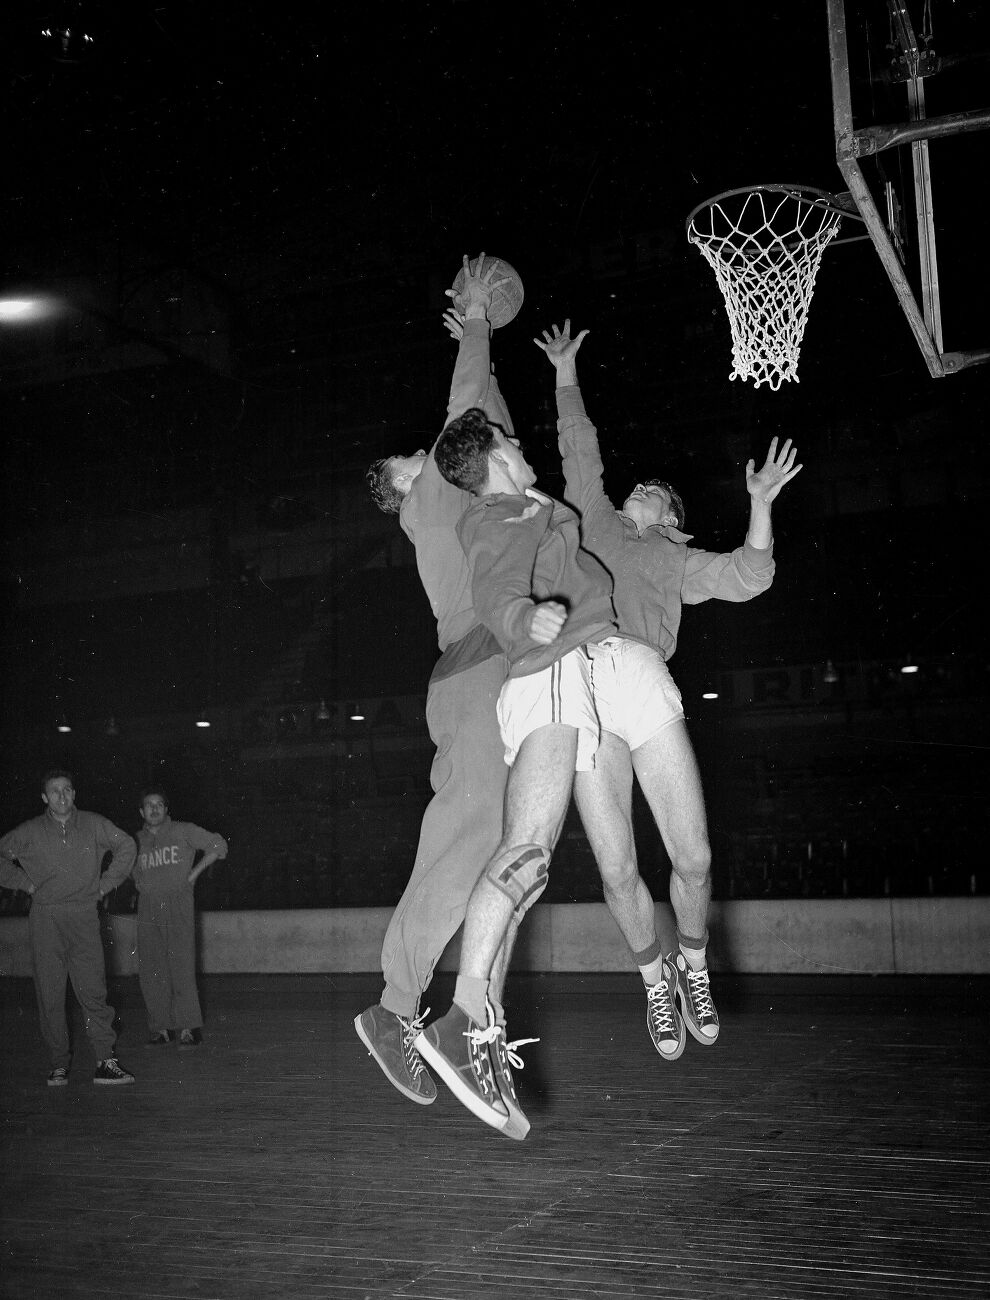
(463, 822)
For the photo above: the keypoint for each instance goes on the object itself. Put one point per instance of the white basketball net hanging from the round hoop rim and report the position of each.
(766, 248)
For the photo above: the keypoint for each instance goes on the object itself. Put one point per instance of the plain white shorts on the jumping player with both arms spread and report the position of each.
(635, 694)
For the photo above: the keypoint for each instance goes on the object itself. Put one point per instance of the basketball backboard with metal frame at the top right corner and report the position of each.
(911, 106)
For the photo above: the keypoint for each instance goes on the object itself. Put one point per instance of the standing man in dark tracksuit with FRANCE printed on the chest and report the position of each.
(166, 873)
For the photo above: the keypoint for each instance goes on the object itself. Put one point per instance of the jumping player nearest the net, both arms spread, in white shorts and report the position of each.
(644, 730)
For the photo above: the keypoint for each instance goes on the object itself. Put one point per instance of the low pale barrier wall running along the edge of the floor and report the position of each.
(878, 937)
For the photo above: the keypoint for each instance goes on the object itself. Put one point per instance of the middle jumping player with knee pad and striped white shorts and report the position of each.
(548, 601)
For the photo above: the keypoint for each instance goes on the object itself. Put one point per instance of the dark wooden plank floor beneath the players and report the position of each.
(835, 1143)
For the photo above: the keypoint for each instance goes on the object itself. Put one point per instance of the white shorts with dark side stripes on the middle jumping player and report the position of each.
(558, 695)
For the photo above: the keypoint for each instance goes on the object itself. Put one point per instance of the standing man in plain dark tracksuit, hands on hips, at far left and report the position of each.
(58, 860)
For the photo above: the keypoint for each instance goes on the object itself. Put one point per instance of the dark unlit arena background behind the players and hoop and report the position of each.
(250, 215)
